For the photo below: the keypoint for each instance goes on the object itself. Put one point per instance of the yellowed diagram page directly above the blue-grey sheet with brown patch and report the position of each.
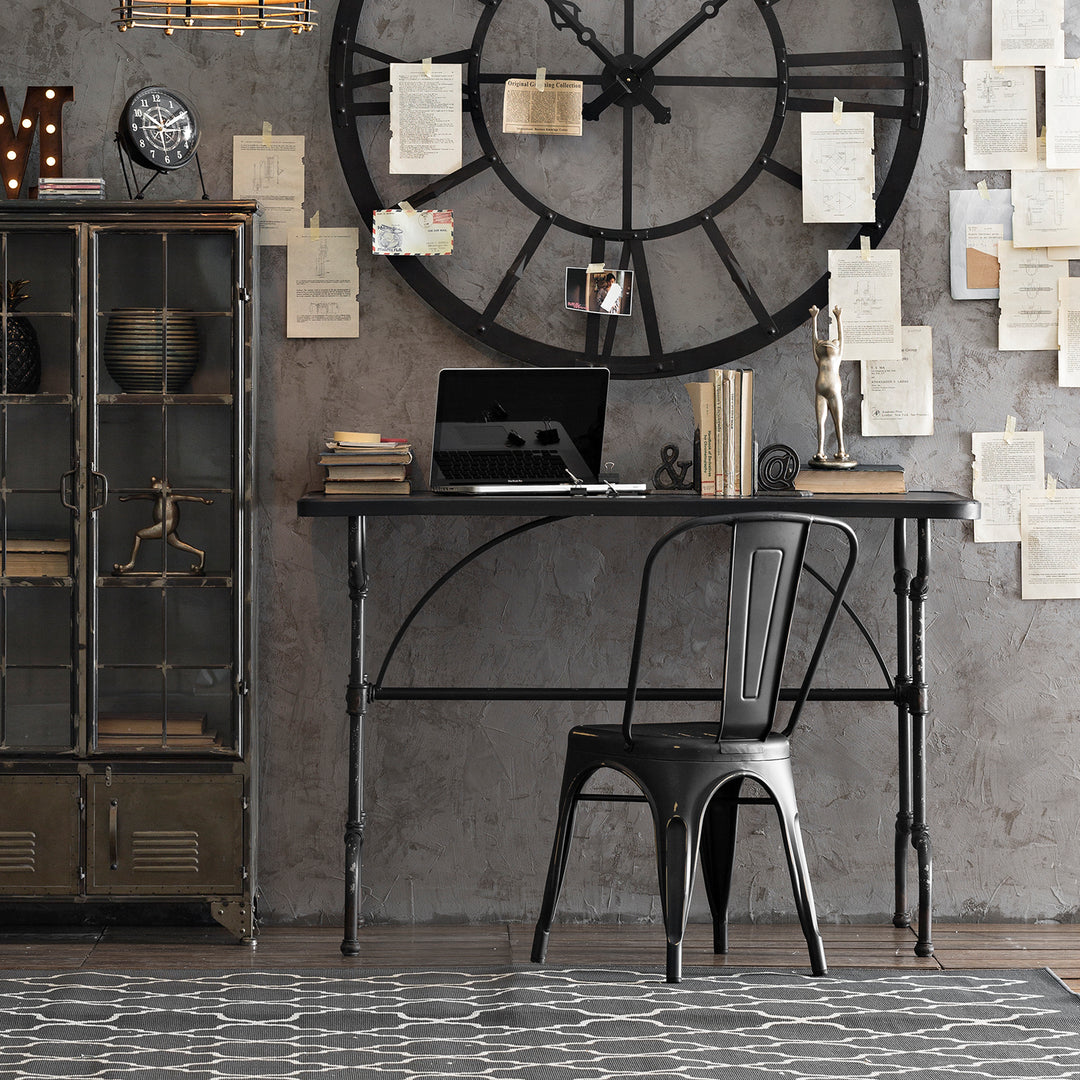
(1000, 117)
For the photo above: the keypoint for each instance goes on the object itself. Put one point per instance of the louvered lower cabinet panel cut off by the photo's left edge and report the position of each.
(39, 836)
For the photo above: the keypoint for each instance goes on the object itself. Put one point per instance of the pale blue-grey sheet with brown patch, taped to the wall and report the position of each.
(979, 220)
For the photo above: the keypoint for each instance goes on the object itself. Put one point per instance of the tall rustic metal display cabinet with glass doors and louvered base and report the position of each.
(127, 643)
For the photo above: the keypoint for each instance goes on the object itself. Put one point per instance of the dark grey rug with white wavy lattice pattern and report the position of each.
(537, 1024)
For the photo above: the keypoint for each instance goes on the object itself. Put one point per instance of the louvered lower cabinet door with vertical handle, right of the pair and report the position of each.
(157, 835)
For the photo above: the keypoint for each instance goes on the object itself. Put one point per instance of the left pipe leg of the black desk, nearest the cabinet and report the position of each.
(357, 708)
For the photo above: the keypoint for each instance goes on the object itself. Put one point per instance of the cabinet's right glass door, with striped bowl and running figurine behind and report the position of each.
(168, 600)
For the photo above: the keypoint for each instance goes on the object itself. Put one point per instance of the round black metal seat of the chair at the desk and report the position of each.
(678, 742)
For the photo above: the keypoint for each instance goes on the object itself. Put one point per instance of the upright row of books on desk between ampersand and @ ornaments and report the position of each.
(724, 417)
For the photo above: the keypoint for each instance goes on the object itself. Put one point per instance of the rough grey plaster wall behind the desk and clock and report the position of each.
(462, 798)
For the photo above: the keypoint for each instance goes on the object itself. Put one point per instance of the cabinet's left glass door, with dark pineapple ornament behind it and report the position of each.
(40, 402)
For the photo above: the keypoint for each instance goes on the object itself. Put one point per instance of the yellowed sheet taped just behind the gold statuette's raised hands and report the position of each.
(867, 288)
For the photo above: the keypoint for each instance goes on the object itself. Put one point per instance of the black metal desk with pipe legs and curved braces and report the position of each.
(910, 693)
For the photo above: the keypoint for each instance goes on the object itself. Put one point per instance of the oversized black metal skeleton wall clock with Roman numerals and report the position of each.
(688, 170)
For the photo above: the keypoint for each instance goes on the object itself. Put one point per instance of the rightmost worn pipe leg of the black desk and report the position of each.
(920, 710)
